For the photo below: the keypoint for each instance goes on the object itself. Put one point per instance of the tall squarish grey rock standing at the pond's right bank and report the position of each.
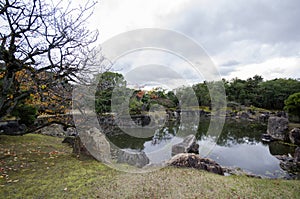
(278, 127)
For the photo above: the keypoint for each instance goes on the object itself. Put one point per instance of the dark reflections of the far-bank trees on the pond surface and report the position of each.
(233, 133)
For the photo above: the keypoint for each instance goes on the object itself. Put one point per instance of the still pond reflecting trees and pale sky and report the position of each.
(239, 145)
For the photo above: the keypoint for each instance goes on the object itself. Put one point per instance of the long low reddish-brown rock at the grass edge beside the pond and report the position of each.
(195, 161)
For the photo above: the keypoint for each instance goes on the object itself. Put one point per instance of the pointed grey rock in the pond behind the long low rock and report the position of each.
(188, 145)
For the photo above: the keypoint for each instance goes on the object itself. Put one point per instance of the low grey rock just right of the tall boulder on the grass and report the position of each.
(138, 159)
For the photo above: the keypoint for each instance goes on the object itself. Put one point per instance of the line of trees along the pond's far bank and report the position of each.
(254, 91)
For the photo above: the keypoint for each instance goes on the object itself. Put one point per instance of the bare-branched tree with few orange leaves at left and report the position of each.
(48, 43)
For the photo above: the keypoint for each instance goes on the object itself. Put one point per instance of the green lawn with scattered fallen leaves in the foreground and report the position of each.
(36, 166)
